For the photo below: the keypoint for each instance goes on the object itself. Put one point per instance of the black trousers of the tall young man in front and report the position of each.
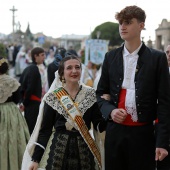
(129, 147)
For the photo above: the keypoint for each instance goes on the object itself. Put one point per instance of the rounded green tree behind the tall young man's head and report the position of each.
(108, 31)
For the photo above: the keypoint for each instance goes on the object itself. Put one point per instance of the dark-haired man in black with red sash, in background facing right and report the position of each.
(31, 88)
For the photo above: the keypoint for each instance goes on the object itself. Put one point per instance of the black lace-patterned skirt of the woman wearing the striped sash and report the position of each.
(69, 152)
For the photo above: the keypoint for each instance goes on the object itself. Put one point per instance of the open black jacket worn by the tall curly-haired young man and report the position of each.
(152, 86)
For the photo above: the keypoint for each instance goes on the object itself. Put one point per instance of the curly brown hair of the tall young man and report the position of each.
(129, 13)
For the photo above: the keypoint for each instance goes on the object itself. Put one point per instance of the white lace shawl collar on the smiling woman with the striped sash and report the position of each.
(85, 99)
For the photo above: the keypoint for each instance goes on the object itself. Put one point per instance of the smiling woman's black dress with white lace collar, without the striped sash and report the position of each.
(68, 150)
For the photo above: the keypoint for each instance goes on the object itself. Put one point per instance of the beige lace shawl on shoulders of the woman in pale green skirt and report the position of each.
(8, 85)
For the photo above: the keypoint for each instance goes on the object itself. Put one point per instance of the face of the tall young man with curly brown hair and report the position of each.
(131, 29)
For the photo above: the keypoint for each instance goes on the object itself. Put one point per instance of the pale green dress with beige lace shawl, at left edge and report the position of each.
(14, 134)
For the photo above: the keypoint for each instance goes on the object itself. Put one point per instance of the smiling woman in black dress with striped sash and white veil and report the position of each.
(69, 110)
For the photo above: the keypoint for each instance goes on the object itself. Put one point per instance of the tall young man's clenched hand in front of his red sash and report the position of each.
(118, 115)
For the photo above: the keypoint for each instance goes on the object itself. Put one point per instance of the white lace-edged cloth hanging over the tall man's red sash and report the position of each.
(130, 104)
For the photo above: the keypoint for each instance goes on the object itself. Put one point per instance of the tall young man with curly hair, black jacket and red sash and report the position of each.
(137, 79)
